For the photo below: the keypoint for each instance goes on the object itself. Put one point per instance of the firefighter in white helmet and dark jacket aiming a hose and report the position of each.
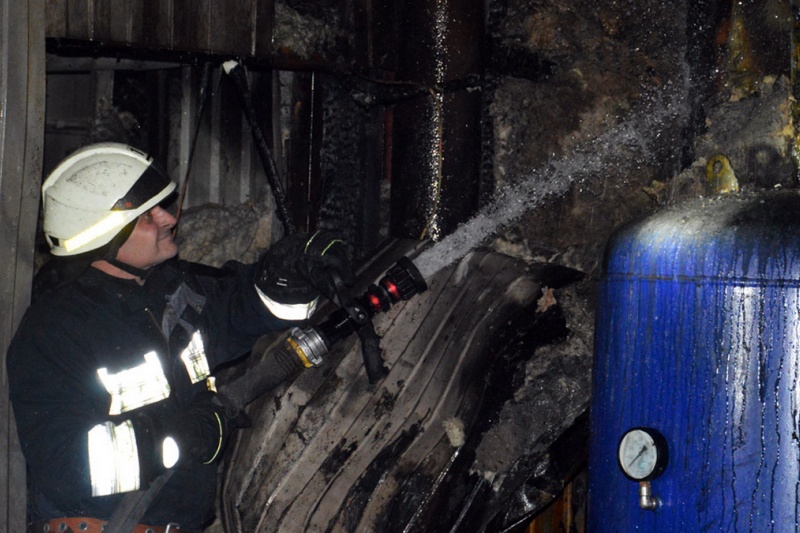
(111, 369)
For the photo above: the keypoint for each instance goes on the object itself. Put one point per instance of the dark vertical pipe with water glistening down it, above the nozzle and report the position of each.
(437, 138)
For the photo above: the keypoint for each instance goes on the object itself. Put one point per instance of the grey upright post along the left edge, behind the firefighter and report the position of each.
(21, 139)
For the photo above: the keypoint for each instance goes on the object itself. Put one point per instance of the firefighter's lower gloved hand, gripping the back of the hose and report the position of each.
(203, 429)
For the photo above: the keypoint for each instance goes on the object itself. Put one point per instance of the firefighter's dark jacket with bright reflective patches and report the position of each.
(75, 340)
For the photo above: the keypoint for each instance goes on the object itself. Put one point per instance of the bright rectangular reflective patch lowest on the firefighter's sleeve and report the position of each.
(113, 459)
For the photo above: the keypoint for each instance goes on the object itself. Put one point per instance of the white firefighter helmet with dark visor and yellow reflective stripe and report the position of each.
(97, 191)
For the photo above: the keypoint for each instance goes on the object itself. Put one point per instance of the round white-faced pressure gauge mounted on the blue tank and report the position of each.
(642, 454)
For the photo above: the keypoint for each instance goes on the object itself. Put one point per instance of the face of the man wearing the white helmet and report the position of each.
(150, 242)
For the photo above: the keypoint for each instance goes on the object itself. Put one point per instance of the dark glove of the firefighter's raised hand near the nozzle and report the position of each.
(297, 268)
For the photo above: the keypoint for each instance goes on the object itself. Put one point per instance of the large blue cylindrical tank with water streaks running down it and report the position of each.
(698, 338)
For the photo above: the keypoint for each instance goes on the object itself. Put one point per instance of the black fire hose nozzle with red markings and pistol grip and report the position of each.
(305, 347)
